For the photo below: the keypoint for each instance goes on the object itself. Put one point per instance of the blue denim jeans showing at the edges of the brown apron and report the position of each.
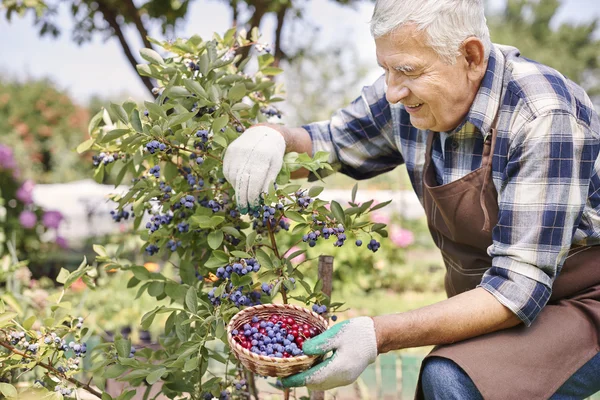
(444, 380)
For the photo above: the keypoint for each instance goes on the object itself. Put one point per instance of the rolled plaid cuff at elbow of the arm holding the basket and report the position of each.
(522, 295)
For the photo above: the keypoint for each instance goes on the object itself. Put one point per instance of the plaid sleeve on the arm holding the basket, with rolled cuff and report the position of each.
(541, 201)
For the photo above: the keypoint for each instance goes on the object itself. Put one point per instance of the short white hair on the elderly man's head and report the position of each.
(447, 23)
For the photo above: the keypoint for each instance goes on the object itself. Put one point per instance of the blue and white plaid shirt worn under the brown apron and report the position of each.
(545, 166)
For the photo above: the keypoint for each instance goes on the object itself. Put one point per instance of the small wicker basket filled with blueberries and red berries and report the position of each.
(268, 338)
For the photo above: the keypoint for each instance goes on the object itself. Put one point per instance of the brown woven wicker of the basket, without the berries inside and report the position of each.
(271, 366)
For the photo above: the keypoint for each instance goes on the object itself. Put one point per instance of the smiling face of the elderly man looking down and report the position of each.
(437, 96)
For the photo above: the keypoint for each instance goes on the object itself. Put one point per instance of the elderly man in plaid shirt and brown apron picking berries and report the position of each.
(503, 154)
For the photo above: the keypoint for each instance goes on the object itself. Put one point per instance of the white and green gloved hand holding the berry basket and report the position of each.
(355, 347)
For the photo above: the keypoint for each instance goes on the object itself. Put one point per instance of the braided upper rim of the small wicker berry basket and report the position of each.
(259, 357)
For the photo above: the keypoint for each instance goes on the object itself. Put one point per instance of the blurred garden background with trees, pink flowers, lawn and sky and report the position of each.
(63, 61)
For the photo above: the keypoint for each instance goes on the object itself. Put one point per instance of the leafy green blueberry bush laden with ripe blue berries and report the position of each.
(184, 211)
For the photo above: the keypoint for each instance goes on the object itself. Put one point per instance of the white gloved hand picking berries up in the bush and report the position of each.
(251, 162)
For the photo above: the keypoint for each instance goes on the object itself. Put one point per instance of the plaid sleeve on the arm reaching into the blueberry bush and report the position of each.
(359, 138)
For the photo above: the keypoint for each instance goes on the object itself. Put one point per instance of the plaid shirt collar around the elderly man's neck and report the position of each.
(487, 100)
